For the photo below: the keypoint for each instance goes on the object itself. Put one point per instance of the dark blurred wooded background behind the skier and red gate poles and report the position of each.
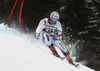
(80, 21)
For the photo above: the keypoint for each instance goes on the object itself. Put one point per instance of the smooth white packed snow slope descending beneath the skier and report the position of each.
(17, 53)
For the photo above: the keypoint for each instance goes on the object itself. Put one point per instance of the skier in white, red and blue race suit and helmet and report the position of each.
(46, 29)
